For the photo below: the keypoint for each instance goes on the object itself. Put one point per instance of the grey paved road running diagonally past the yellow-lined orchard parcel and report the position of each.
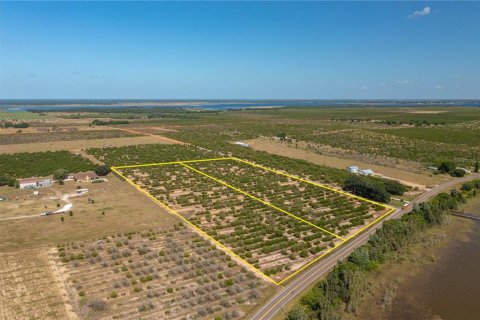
(300, 283)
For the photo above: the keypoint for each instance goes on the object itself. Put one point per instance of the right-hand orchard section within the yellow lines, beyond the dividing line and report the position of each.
(327, 209)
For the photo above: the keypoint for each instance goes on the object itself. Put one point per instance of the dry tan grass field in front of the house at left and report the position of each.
(124, 211)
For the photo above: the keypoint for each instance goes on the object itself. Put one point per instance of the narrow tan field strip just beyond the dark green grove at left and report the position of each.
(81, 144)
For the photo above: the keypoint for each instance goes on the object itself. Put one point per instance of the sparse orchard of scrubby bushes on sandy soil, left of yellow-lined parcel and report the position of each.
(173, 274)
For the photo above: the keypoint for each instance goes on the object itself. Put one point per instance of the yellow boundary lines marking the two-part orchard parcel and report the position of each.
(257, 271)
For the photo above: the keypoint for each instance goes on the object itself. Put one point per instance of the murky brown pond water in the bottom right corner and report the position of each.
(448, 289)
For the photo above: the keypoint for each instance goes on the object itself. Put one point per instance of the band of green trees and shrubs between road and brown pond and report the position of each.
(340, 292)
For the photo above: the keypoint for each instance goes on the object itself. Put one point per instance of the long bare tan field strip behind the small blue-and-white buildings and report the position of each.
(409, 177)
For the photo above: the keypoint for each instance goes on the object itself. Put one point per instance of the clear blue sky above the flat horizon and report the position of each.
(240, 50)
